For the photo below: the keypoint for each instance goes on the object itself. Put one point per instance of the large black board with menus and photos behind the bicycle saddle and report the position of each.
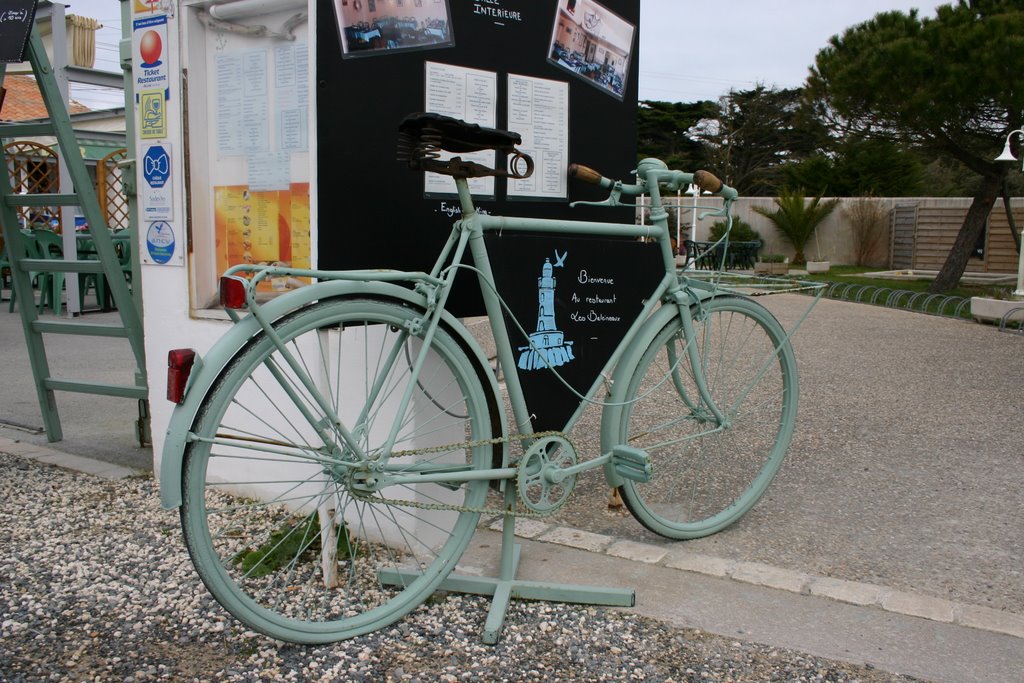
(562, 73)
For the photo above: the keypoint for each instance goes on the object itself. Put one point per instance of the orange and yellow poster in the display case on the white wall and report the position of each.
(269, 228)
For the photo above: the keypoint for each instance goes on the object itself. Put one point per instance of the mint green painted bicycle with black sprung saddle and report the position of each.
(333, 453)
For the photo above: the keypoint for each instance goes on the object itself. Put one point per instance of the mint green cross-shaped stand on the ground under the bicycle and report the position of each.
(506, 586)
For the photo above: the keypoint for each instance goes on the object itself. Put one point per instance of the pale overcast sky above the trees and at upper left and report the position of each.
(690, 51)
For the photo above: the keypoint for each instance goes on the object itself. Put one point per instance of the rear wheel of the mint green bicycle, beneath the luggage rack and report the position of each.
(284, 524)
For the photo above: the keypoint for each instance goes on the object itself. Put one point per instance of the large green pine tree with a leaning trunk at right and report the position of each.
(949, 86)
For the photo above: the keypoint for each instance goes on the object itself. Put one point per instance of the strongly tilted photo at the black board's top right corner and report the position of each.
(592, 42)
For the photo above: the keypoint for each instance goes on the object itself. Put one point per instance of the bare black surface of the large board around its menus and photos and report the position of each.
(373, 211)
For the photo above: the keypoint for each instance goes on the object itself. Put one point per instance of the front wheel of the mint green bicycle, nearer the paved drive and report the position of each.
(708, 473)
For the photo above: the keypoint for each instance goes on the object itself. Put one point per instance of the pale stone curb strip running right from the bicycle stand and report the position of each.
(756, 574)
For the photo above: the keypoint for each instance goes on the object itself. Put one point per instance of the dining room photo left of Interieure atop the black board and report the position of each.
(379, 27)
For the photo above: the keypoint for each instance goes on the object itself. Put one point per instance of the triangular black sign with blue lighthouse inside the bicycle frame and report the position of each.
(576, 298)
